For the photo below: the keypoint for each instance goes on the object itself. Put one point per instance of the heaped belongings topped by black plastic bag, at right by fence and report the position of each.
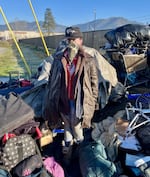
(127, 50)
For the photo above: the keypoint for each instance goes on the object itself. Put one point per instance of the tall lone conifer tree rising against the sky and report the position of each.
(49, 22)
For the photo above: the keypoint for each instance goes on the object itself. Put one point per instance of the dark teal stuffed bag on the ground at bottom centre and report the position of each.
(94, 162)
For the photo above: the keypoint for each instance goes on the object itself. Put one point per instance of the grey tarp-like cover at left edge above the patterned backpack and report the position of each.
(14, 112)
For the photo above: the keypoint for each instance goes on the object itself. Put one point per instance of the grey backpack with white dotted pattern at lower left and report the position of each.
(17, 149)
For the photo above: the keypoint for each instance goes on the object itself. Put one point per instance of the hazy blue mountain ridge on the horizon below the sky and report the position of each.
(99, 24)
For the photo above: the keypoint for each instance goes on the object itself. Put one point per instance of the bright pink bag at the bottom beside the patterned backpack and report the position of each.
(53, 167)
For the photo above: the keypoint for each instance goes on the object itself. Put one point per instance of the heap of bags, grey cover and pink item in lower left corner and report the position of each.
(21, 140)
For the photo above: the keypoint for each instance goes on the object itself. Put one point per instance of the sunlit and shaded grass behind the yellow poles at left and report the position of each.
(11, 60)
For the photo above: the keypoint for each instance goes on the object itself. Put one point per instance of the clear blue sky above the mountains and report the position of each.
(67, 12)
